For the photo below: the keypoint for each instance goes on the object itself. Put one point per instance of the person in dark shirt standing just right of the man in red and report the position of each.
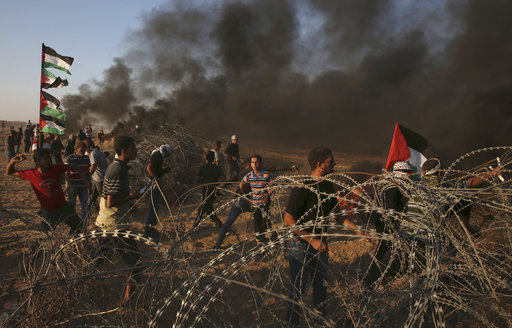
(78, 178)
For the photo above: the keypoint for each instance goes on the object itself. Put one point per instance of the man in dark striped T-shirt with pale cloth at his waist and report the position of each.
(114, 205)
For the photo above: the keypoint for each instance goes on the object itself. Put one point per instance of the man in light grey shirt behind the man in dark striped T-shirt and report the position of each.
(96, 170)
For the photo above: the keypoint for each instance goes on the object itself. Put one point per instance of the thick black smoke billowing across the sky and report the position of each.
(302, 73)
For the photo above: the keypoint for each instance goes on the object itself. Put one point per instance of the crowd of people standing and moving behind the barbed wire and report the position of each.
(89, 176)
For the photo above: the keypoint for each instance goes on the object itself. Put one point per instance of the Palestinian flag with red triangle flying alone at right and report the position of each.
(409, 146)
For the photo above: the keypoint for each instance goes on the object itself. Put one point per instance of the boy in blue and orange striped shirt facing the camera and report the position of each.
(260, 196)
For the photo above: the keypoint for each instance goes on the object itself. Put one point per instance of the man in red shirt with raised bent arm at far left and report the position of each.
(45, 180)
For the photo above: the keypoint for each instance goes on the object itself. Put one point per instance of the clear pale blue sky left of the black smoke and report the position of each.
(92, 31)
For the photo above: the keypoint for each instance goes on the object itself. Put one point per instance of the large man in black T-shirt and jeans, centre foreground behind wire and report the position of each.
(307, 211)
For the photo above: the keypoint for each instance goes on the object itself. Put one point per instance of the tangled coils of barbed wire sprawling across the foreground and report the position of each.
(449, 274)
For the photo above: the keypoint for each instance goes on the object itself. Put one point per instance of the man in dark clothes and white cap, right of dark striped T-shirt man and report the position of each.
(155, 171)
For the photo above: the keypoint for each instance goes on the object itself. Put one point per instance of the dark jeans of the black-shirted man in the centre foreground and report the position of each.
(306, 262)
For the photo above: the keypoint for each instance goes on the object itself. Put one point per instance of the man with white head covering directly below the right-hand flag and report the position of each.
(391, 198)
